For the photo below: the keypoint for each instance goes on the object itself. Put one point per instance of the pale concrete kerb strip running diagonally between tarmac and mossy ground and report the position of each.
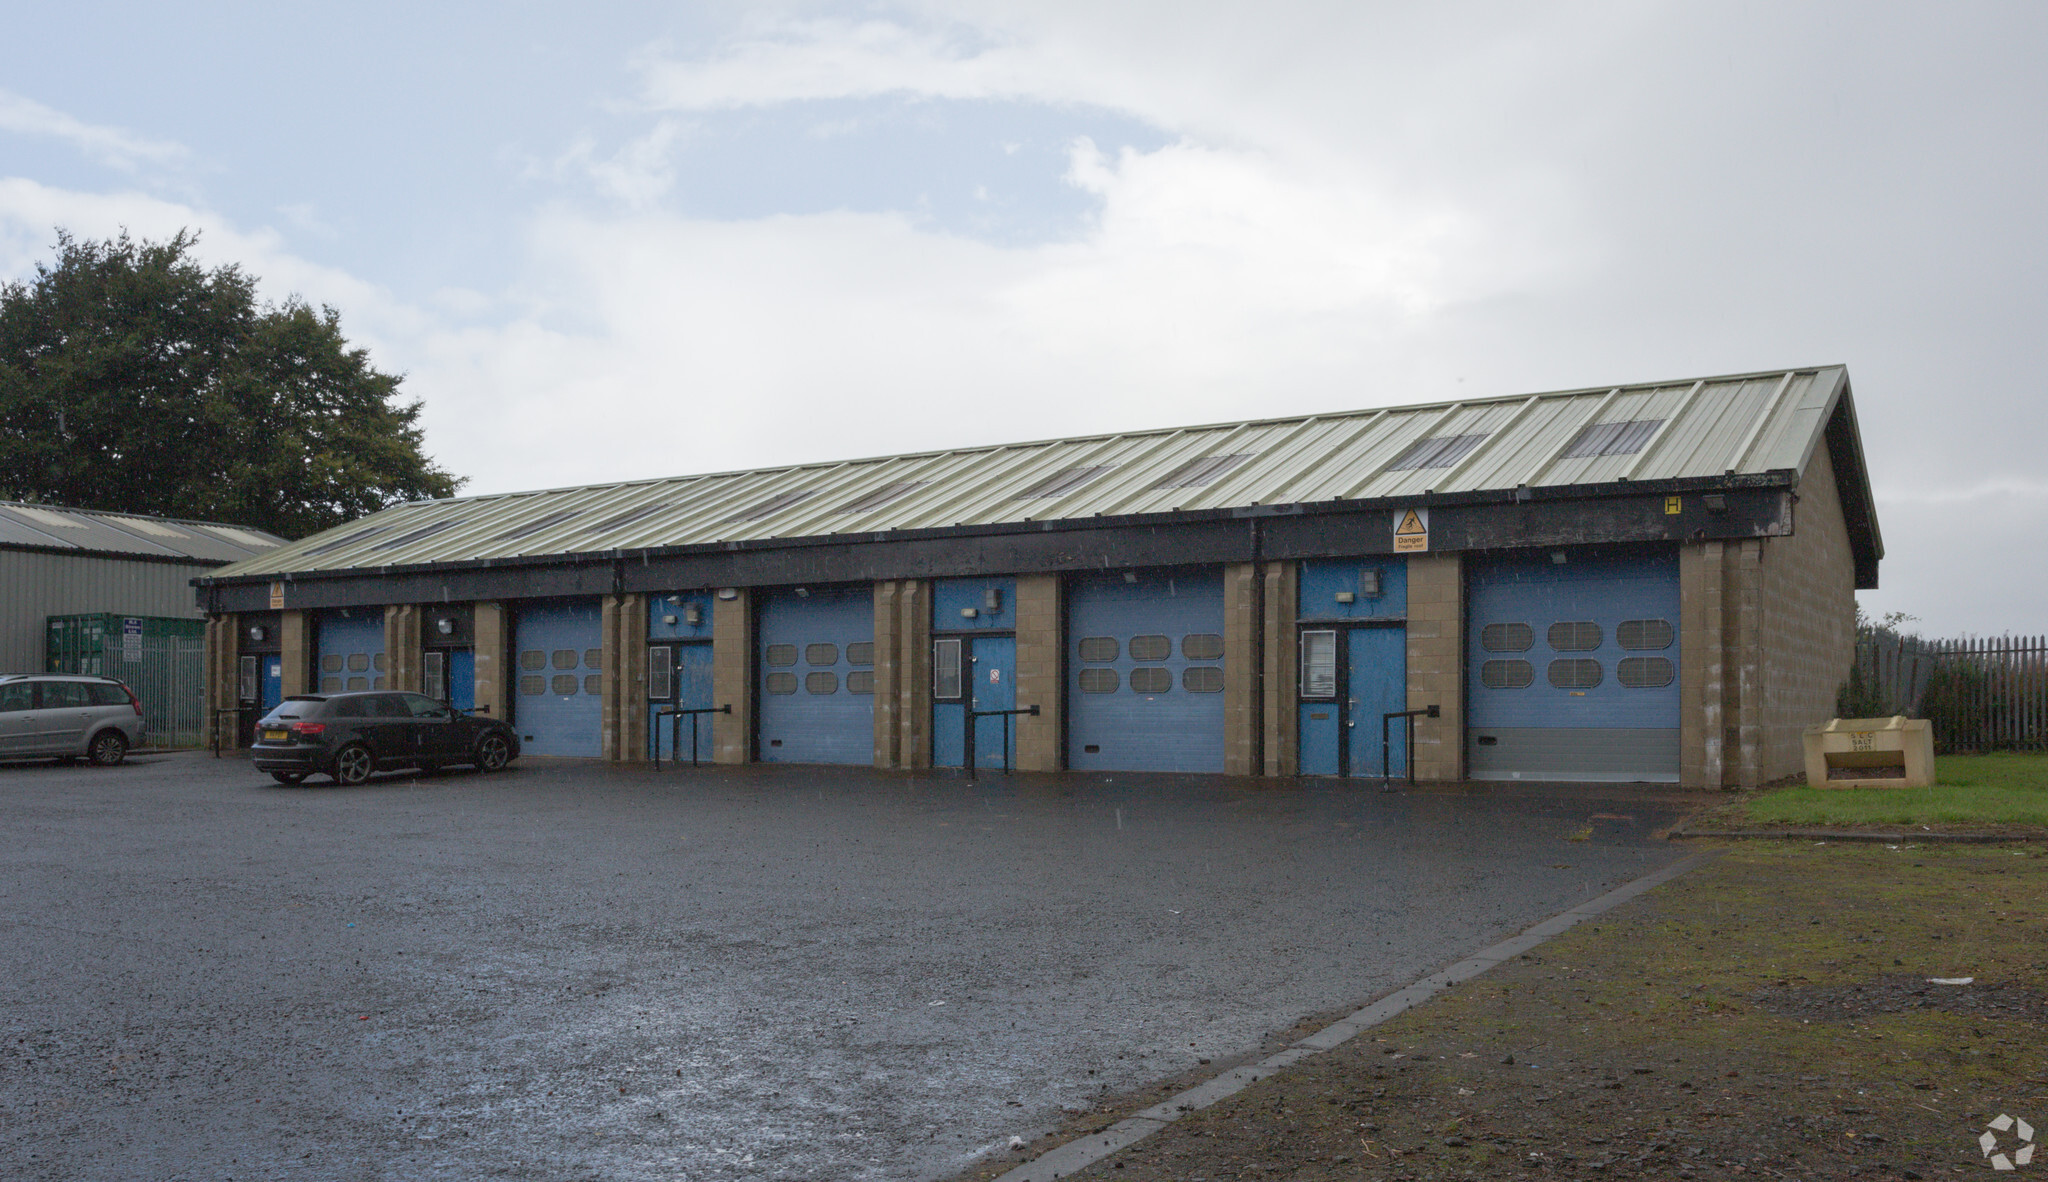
(1076, 1156)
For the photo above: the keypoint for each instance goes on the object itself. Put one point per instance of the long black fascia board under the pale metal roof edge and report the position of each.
(1484, 521)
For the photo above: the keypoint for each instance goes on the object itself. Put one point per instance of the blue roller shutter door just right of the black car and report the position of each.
(560, 702)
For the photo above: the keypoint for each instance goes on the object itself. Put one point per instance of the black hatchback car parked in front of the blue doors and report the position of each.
(351, 736)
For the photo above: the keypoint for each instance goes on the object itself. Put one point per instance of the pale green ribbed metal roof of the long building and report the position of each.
(1707, 427)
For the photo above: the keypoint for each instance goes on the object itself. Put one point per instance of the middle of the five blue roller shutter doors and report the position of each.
(818, 677)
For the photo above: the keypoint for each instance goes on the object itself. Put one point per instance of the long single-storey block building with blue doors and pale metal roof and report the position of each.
(1644, 583)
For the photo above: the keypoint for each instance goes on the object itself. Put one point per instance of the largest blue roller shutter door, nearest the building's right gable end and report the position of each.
(1574, 669)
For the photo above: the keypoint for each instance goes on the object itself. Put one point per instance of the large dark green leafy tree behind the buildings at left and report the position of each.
(136, 380)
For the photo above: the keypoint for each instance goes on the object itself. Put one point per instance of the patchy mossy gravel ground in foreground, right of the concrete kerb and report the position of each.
(1764, 1017)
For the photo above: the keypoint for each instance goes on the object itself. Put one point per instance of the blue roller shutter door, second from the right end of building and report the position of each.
(1146, 673)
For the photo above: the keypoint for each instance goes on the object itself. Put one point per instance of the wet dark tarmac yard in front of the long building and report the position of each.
(585, 972)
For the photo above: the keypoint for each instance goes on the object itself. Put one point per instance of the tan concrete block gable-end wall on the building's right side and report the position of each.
(1807, 589)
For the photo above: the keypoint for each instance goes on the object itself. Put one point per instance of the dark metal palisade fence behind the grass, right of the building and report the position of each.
(1981, 693)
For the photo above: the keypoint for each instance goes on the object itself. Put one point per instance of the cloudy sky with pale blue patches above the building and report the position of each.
(695, 237)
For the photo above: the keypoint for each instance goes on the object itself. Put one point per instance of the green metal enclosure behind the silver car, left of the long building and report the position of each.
(163, 661)
